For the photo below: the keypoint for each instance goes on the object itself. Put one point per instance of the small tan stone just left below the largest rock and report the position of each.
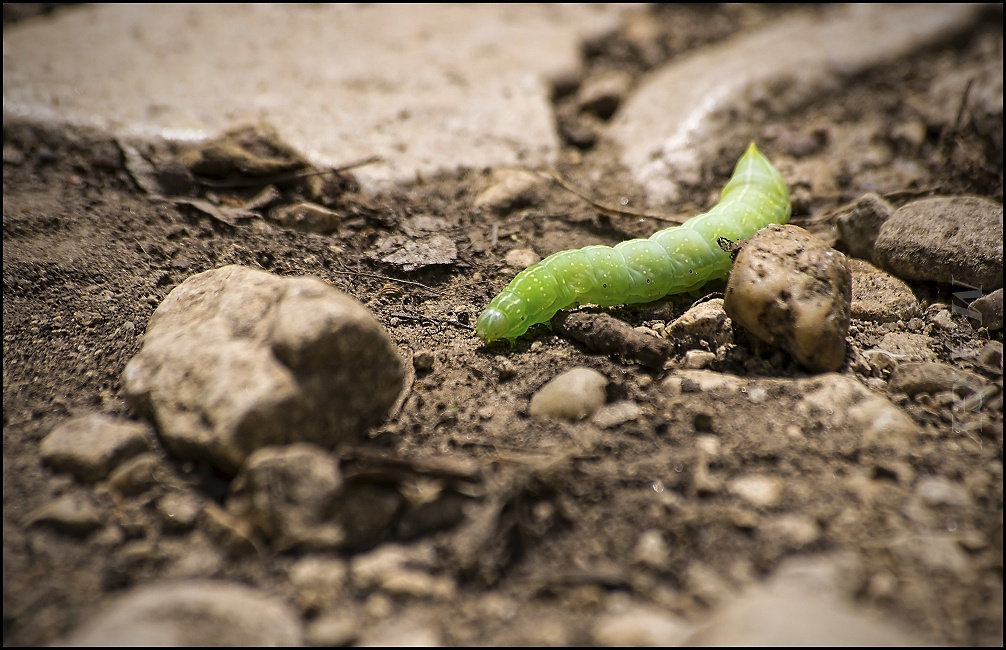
(92, 446)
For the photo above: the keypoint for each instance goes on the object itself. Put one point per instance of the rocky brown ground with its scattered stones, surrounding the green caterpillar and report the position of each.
(265, 460)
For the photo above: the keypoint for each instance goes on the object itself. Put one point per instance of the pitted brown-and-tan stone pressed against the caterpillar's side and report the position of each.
(792, 290)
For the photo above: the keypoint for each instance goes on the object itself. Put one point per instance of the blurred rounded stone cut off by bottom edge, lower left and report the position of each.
(193, 613)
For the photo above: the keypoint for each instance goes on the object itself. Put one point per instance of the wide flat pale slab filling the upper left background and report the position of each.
(430, 88)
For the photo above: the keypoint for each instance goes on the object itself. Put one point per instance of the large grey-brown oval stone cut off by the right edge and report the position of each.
(951, 240)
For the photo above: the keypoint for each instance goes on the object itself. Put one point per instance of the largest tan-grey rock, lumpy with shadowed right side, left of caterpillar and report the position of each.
(236, 360)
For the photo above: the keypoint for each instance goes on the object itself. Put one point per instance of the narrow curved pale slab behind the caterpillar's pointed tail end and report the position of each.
(662, 128)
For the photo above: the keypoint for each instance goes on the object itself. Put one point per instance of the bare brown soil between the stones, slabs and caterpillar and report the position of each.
(89, 255)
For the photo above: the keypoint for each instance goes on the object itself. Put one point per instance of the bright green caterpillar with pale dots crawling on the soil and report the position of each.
(673, 261)
